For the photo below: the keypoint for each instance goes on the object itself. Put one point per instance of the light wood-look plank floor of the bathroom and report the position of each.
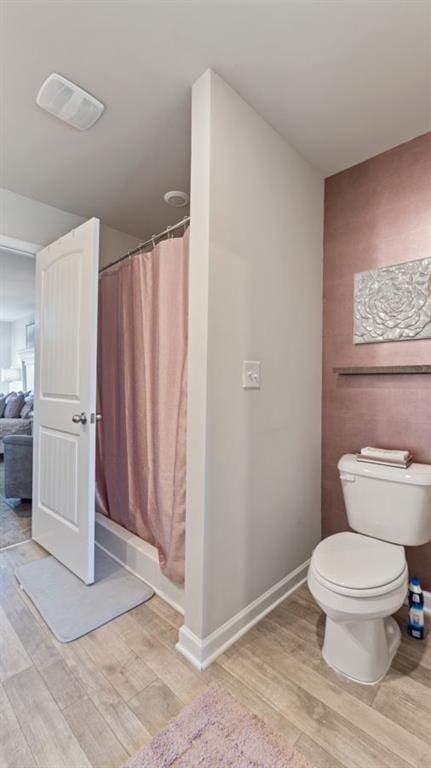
(95, 701)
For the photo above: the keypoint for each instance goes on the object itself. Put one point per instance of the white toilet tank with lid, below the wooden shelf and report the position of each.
(387, 503)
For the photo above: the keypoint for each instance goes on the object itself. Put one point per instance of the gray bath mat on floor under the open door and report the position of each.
(70, 607)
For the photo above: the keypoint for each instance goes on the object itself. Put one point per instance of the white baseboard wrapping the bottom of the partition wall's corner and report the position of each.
(202, 652)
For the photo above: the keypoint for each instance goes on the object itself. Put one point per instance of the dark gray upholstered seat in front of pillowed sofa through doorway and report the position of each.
(18, 466)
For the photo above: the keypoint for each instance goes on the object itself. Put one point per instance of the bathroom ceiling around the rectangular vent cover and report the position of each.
(342, 81)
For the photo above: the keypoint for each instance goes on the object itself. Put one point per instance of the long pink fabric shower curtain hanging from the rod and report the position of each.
(142, 353)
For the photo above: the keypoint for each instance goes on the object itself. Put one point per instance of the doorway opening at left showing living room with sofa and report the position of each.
(17, 359)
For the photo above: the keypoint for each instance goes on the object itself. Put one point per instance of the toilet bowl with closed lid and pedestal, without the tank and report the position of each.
(359, 582)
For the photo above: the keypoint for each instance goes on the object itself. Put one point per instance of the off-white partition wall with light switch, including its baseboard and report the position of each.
(253, 488)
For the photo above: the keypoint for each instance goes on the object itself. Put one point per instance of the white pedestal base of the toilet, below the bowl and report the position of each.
(361, 651)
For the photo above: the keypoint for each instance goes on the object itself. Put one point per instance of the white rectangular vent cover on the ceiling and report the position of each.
(69, 102)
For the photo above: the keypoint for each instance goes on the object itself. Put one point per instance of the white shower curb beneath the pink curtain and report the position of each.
(138, 557)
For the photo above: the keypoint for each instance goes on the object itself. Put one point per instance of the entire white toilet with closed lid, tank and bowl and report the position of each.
(360, 579)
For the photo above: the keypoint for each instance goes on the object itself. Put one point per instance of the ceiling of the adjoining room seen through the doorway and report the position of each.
(17, 290)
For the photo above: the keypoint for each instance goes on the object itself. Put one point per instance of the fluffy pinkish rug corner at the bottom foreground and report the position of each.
(215, 731)
